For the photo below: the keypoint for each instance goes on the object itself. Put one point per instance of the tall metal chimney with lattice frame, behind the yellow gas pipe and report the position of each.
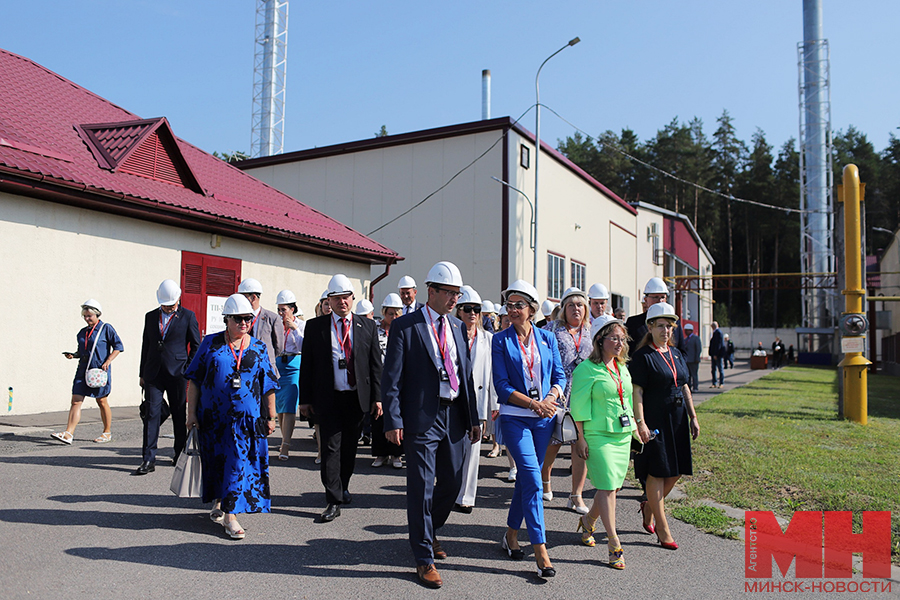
(816, 177)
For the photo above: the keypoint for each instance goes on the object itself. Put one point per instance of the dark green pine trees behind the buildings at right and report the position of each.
(743, 238)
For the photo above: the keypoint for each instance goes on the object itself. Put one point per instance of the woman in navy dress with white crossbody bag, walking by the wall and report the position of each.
(99, 345)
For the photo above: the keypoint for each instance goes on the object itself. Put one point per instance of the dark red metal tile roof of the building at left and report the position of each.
(56, 136)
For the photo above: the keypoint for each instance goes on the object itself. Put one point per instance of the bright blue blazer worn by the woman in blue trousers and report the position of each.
(507, 363)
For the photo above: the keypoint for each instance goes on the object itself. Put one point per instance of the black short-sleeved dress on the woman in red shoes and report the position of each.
(669, 455)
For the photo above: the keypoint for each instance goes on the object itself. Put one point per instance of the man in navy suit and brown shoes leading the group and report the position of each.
(429, 403)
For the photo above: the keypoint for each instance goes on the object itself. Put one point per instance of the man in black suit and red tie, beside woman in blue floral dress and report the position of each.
(340, 378)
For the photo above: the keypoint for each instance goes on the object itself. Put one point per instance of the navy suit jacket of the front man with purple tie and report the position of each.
(410, 381)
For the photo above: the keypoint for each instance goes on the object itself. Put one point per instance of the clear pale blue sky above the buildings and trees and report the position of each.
(410, 65)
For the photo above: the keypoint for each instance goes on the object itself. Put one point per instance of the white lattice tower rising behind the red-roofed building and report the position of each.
(269, 77)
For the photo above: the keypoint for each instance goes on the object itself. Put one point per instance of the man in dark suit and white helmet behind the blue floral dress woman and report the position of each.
(169, 331)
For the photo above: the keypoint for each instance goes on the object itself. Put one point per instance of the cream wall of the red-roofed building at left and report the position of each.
(55, 257)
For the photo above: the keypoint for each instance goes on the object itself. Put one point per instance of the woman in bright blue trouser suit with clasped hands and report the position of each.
(529, 380)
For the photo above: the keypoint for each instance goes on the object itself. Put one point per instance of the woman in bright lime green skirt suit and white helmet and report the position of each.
(602, 410)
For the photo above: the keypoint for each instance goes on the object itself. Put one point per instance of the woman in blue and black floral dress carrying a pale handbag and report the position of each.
(225, 404)
